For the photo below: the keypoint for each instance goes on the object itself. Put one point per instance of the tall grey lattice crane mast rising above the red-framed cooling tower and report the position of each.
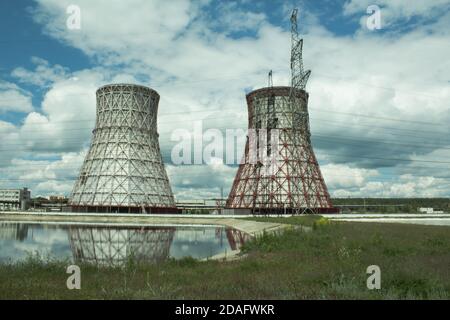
(299, 77)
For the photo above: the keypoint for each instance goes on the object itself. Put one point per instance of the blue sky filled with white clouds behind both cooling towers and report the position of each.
(378, 99)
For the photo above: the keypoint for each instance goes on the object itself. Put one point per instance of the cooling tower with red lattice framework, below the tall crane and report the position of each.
(293, 183)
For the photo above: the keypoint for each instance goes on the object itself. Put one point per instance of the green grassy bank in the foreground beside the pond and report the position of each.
(328, 263)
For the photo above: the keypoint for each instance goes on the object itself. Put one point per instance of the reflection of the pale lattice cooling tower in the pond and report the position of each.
(114, 247)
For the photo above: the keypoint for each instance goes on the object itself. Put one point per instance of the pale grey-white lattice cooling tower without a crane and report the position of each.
(123, 170)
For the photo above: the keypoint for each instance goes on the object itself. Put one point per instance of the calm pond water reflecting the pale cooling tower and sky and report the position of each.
(114, 245)
